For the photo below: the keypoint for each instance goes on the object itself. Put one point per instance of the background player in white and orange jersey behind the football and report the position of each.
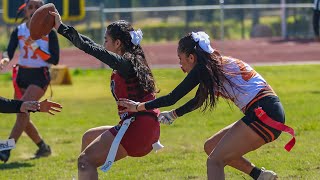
(31, 75)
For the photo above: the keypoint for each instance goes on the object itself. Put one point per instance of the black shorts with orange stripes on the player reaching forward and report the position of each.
(273, 108)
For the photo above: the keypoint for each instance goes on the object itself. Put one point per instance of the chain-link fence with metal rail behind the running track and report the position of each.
(240, 21)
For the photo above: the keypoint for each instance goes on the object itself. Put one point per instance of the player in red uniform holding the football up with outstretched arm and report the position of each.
(131, 78)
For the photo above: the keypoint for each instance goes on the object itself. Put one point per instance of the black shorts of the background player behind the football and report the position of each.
(33, 76)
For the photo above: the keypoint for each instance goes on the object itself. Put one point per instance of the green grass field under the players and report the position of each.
(88, 103)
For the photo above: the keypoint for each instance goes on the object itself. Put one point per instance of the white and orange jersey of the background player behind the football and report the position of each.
(28, 56)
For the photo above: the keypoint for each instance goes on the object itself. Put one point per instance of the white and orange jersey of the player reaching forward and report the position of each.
(245, 83)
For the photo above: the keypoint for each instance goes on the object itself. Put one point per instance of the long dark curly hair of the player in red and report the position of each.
(134, 53)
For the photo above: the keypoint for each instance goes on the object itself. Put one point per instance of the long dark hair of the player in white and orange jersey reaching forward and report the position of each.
(212, 83)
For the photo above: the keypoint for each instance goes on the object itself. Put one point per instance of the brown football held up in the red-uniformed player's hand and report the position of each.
(42, 22)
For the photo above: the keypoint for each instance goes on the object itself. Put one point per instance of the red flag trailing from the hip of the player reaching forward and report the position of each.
(262, 115)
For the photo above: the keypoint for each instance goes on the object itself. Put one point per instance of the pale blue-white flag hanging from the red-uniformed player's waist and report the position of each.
(115, 144)
